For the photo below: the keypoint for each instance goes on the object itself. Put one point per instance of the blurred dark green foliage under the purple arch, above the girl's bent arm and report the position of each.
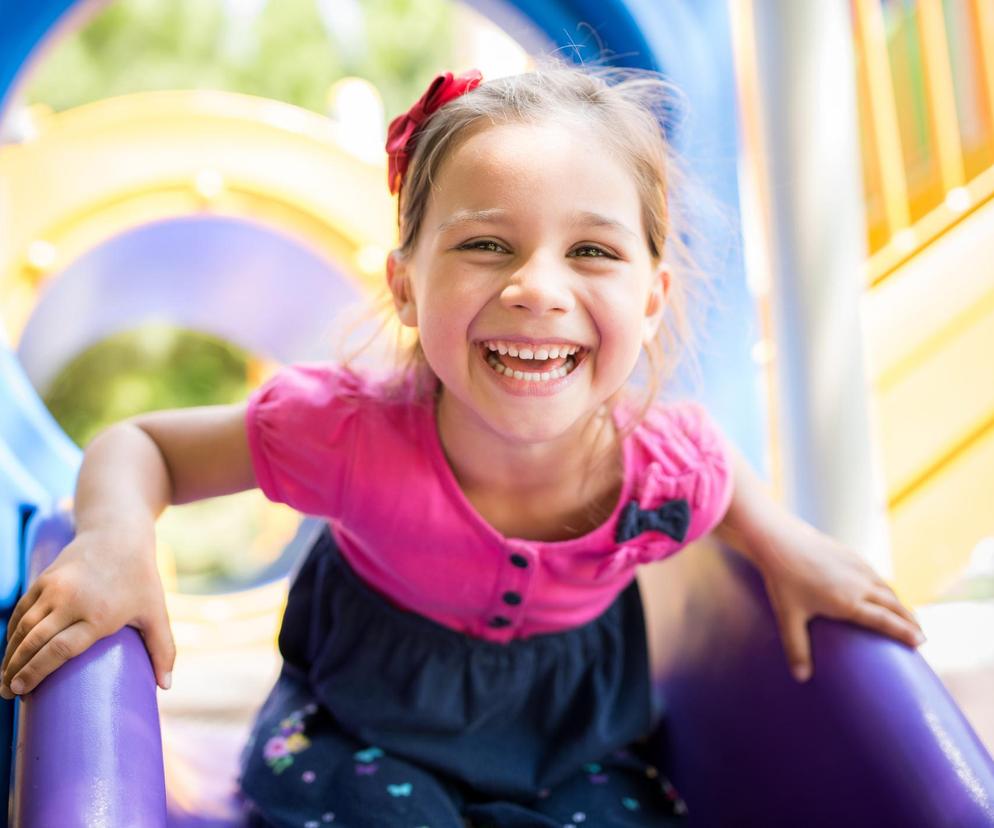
(153, 367)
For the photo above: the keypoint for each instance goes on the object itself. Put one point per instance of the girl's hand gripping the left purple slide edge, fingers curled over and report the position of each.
(101, 581)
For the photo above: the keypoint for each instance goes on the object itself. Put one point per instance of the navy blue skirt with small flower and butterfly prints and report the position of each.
(382, 717)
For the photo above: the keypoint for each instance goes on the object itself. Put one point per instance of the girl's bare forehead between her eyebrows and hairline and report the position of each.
(530, 168)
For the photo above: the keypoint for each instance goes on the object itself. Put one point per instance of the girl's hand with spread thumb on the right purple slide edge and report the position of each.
(808, 573)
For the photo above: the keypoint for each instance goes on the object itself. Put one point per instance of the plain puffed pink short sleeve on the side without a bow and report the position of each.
(301, 427)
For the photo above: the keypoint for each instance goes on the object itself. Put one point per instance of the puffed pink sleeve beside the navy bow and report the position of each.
(689, 459)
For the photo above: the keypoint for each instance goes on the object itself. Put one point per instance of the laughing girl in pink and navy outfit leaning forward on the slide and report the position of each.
(465, 645)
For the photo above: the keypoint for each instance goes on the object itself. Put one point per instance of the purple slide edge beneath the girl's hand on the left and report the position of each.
(89, 750)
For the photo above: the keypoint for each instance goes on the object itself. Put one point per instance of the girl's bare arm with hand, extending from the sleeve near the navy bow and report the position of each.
(807, 573)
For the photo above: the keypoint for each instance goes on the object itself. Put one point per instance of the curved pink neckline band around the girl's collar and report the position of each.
(458, 497)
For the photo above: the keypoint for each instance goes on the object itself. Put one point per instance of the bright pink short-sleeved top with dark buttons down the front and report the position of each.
(331, 443)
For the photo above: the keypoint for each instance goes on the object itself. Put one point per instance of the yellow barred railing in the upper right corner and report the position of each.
(925, 79)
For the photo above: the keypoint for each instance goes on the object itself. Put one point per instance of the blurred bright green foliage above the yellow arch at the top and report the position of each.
(286, 52)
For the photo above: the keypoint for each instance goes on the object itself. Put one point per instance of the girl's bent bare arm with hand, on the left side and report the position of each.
(106, 577)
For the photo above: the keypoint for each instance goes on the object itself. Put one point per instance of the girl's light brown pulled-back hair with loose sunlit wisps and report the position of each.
(631, 108)
